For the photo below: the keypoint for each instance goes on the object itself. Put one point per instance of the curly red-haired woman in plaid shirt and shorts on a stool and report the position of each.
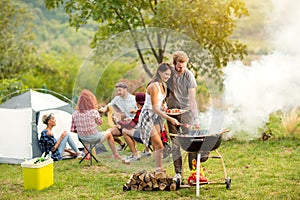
(85, 120)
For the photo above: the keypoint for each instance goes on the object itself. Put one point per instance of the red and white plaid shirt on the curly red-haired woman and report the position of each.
(85, 123)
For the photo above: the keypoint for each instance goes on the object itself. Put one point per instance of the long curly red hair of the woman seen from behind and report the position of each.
(86, 101)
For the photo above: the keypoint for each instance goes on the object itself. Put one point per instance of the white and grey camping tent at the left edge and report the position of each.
(21, 124)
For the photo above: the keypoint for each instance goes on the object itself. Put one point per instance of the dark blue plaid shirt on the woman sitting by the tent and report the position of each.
(47, 143)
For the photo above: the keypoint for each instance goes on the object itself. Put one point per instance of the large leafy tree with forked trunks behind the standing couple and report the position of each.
(209, 23)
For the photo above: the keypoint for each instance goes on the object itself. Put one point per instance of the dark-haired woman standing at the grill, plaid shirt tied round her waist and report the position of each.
(152, 115)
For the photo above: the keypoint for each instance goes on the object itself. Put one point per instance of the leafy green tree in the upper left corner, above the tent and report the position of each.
(17, 54)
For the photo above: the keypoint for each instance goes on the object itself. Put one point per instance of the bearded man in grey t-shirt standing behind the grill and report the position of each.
(182, 95)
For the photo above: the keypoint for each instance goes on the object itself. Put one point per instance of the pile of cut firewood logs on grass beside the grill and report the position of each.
(148, 181)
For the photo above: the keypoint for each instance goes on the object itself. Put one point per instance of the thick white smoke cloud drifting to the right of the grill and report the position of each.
(271, 83)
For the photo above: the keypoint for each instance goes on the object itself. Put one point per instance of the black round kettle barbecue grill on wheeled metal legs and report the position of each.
(202, 142)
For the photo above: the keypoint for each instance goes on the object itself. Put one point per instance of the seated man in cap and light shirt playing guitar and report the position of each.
(124, 109)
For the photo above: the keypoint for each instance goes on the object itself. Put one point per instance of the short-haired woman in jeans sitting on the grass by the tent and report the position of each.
(56, 146)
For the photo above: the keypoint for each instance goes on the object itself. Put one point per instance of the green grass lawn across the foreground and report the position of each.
(258, 170)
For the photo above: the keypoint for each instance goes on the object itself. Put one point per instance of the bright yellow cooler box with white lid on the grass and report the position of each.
(37, 176)
